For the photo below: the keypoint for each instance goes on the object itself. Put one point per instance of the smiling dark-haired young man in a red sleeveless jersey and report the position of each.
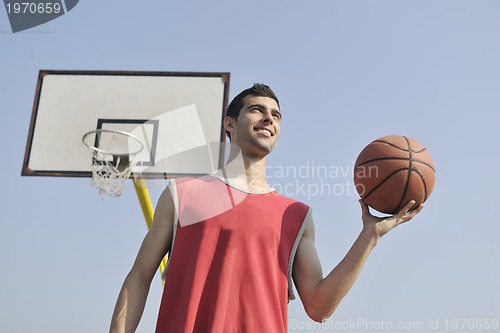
(235, 244)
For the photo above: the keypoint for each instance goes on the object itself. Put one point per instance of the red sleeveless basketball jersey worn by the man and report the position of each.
(231, 259)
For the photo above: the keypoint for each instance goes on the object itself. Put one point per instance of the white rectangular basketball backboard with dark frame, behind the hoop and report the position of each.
(177, 116)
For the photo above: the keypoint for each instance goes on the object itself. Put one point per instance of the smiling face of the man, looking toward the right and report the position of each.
(258, 125)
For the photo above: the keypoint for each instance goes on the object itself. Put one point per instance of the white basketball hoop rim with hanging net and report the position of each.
(113, 155)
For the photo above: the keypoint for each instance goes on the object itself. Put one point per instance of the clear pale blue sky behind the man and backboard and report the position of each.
(347, 72)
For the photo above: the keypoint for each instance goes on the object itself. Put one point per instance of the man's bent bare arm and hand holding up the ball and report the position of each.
(321, 296)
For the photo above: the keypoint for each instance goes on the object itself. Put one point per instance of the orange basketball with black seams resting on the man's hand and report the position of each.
(393, 170)
